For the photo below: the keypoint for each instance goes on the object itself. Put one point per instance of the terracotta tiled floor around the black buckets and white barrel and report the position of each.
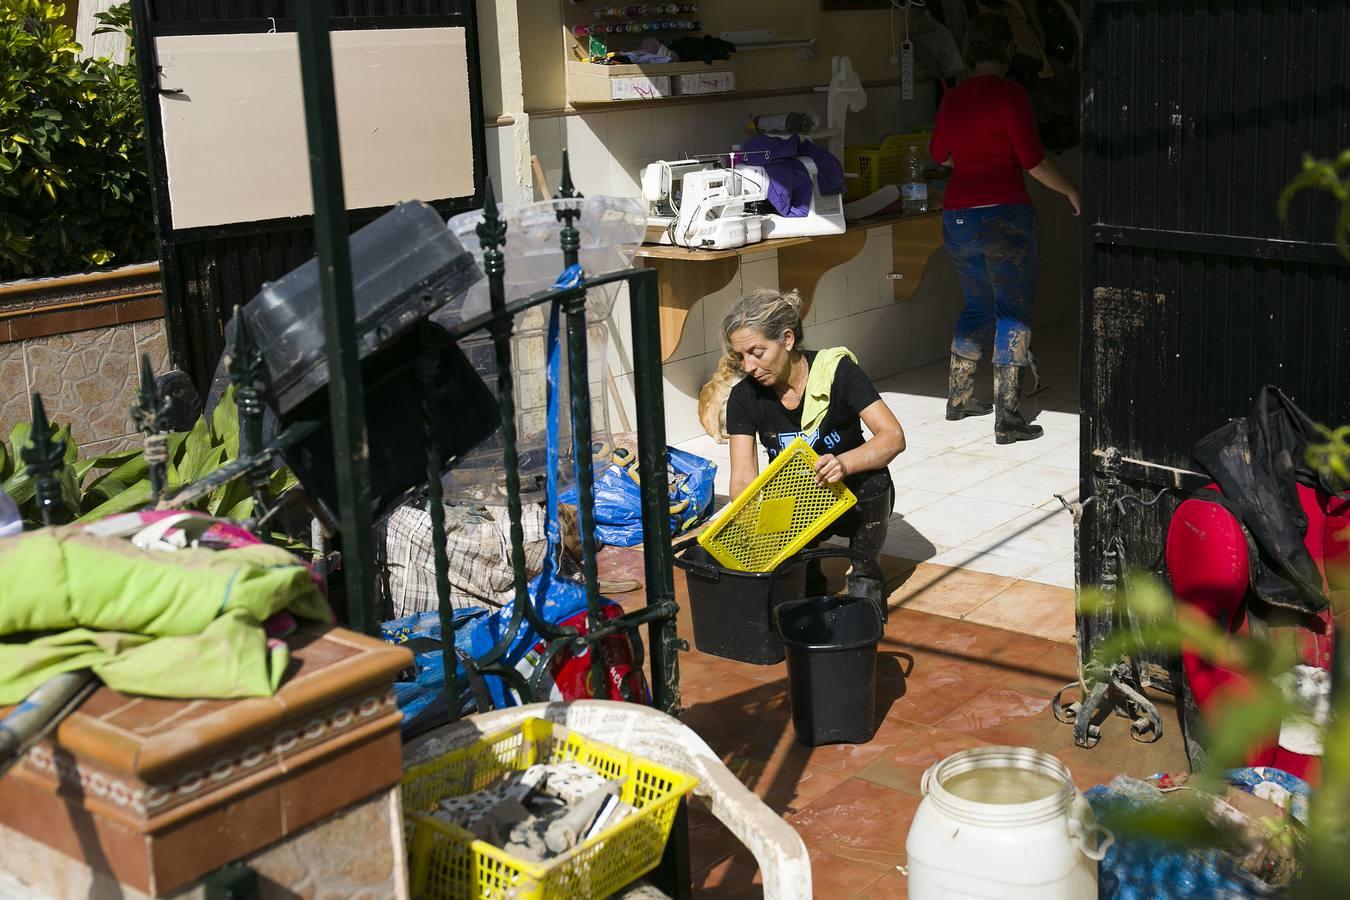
(943, 686)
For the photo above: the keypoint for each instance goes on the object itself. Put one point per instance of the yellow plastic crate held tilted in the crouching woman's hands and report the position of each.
(777, 516)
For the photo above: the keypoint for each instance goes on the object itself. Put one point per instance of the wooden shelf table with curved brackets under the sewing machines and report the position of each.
(688, 276)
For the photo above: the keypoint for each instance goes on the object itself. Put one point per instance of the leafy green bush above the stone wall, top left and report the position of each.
(75, 192)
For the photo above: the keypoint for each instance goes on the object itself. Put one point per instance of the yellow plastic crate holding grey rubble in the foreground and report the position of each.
(448, 862)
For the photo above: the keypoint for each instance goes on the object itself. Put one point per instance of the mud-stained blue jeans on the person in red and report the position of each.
(996, 256)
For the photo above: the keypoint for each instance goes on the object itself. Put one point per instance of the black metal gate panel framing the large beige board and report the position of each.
(210, 271)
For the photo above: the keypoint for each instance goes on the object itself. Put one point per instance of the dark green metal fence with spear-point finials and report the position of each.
(45, 457)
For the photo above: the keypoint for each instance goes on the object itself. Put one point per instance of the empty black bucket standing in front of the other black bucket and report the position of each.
(831, 667)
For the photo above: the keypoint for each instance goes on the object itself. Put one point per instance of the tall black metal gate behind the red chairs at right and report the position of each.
(1195, 115)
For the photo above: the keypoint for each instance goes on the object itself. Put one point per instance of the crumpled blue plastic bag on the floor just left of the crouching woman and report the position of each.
(619, 500)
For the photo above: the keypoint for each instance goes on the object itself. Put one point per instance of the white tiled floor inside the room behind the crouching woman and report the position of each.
(967, 503)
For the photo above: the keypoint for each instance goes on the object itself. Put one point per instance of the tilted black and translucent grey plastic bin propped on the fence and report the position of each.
(406, 266)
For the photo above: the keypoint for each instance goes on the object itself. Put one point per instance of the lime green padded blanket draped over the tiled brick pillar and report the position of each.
(187, 624)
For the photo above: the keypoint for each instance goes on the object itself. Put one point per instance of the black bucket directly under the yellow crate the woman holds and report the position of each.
(732, 611)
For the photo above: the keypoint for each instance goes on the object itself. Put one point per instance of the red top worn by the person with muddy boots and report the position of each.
(986, 128)
